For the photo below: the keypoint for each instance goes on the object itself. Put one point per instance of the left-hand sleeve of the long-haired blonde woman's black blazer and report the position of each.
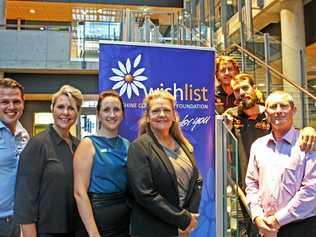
(144, 191)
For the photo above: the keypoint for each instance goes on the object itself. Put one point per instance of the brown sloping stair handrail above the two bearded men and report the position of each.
(275, 71)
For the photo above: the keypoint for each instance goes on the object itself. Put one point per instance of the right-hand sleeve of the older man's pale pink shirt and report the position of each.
(304, 201)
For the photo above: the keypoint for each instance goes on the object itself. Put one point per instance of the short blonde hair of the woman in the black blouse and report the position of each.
(72, 93)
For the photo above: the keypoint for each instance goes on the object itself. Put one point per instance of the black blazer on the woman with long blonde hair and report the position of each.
(153, 182)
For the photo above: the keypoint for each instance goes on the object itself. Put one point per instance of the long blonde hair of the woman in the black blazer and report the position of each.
(175, 129)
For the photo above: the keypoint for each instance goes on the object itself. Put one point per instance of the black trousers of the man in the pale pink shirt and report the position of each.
(303, 228)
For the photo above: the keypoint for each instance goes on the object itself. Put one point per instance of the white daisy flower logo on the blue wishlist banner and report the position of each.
(126, 80)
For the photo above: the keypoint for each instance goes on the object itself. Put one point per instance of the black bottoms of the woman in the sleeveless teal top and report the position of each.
(111, 213)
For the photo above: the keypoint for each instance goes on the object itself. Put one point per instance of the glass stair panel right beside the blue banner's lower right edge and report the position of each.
(227, 175)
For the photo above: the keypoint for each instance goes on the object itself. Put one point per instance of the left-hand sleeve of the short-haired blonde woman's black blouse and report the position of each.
(31, 166)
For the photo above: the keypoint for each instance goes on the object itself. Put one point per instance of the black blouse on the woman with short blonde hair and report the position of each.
(44, 187)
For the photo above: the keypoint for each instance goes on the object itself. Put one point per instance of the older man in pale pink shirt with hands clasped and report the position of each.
(281, 179)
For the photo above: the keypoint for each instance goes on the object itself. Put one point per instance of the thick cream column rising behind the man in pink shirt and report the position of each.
(293, 39)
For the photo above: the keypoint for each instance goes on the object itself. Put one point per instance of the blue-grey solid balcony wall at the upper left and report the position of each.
(36, 46)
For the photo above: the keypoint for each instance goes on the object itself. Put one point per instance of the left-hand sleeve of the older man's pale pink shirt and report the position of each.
(252, 186)
